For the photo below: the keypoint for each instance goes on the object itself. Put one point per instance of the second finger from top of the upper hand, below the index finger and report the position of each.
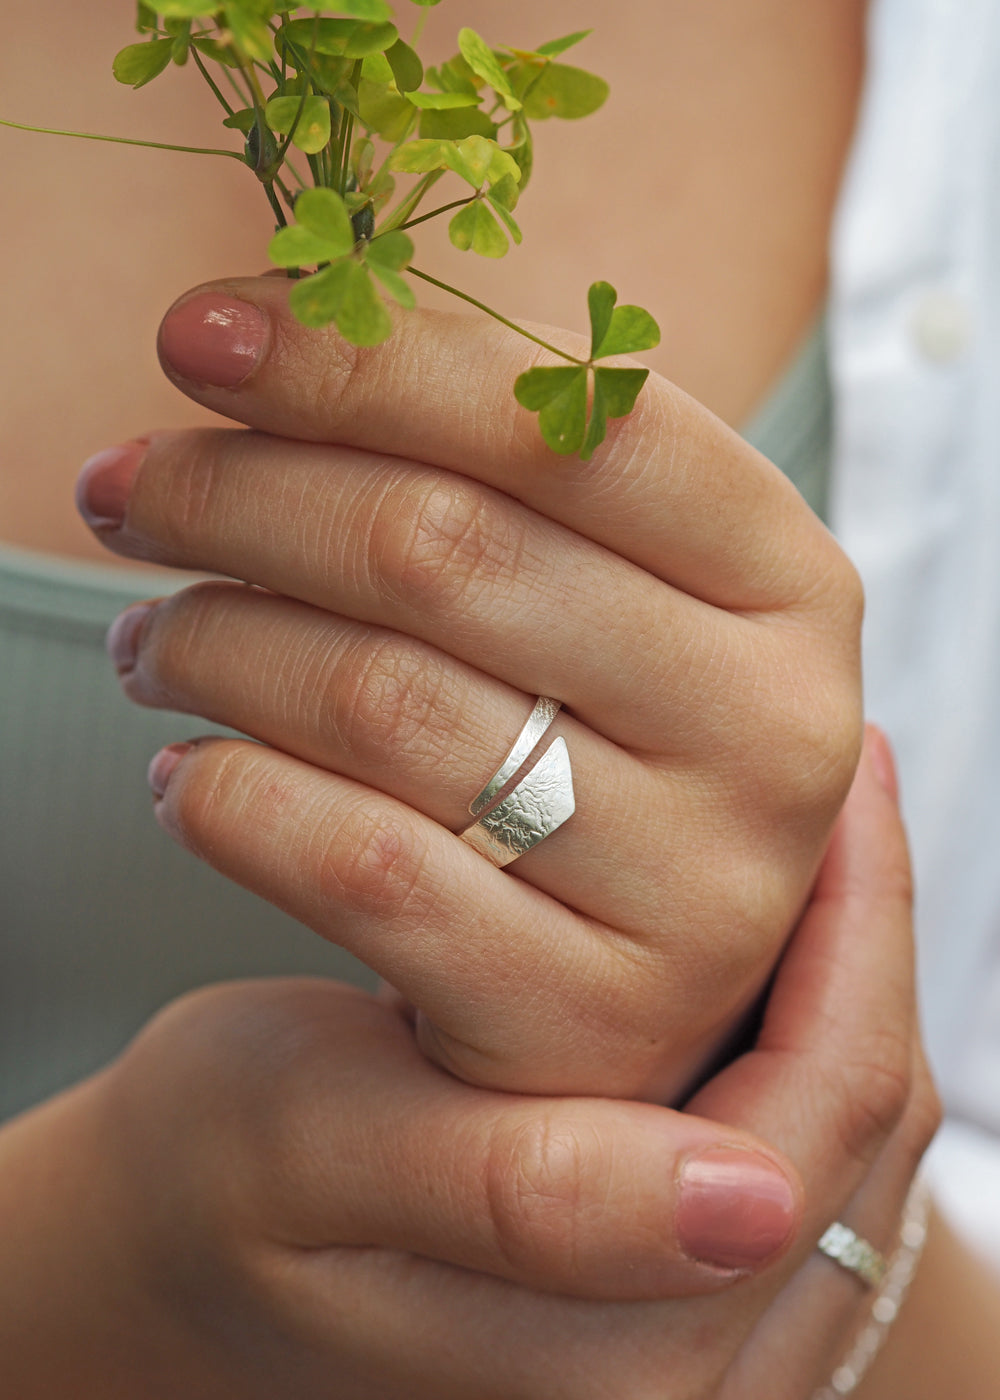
(464, 569)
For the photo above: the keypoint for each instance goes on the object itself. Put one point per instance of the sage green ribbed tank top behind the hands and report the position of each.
(103, 918)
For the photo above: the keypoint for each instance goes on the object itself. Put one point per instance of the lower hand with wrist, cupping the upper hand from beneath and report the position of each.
(274, 1193)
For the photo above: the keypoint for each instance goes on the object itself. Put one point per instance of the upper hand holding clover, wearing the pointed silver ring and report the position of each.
(438, 568)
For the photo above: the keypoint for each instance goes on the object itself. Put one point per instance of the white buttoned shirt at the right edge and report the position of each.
(915, 346)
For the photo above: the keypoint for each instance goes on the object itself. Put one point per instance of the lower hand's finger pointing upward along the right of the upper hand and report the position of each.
(833, 1073)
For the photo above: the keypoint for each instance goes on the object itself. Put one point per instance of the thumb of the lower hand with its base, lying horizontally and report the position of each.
(369, 1146)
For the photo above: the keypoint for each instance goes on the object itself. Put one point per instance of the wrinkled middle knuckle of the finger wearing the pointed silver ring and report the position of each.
(396, 701)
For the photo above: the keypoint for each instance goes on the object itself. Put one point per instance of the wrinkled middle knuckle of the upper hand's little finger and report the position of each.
(376, 866)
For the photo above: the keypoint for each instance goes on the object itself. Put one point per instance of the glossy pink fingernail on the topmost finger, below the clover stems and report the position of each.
(214, 339)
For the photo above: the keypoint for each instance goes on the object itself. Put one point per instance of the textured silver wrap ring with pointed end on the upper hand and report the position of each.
(511, 825)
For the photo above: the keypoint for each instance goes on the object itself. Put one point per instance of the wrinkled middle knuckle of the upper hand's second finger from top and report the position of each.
(443, 544)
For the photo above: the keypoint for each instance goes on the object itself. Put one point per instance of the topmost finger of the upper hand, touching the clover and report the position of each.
(674, 491)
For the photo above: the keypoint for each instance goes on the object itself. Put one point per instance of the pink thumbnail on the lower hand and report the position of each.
(736, 1209)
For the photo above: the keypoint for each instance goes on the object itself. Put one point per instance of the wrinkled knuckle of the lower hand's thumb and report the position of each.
(540, 1191)
